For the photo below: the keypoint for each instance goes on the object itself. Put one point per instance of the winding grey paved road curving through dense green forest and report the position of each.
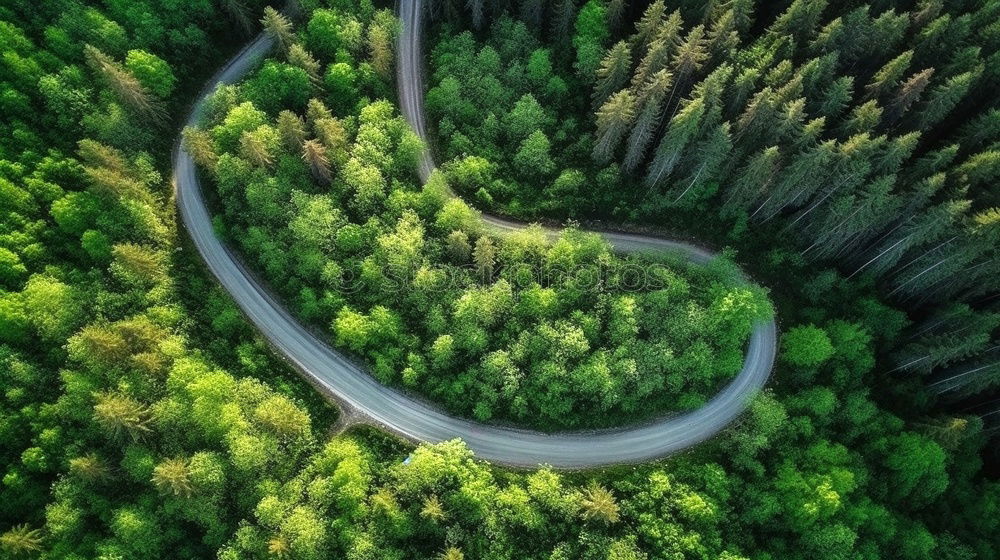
(405, 414)
